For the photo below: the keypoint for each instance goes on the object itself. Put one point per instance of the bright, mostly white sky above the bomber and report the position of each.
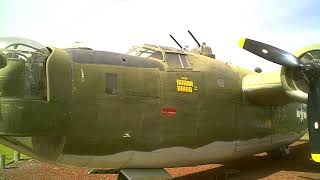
(115, 25)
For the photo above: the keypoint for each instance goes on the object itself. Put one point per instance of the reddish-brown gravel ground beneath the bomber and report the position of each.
(296, 166)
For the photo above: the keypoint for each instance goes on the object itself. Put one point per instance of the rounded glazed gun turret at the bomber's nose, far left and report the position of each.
(24, 73)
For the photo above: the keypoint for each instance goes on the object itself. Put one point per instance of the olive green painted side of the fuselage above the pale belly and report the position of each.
(76, 116)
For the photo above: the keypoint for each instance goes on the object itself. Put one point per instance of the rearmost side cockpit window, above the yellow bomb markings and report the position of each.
(176, 60)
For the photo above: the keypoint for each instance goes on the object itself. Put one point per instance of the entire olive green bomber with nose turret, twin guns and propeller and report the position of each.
(155, 106)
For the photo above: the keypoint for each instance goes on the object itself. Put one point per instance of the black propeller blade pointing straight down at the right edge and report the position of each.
(313, 115)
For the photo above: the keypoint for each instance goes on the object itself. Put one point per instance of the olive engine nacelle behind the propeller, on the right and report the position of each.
(279, 88)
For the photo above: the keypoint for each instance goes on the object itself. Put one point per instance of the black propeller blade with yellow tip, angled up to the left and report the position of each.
(270, 53)
